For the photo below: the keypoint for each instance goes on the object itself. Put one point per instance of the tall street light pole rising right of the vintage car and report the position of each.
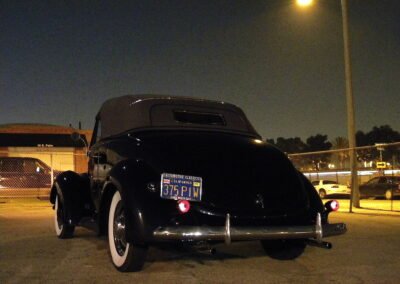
(355, 195)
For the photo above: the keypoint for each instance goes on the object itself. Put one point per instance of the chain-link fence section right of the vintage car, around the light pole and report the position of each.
(378, 173)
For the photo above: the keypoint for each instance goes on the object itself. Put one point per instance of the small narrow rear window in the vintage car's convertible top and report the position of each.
(199, 117)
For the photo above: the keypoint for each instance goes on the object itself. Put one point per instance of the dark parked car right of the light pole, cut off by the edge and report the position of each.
(382, 186)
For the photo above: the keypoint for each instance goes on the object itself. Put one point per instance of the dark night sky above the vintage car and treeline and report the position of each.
(283, 65)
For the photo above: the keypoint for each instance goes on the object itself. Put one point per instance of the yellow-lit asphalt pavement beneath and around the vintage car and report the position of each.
(31, 253)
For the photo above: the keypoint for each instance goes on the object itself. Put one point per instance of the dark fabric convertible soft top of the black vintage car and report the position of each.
(120, 114)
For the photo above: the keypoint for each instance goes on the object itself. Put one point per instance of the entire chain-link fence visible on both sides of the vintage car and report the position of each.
(31, 173)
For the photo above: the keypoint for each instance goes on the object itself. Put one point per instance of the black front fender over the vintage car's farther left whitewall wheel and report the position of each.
(74, 193)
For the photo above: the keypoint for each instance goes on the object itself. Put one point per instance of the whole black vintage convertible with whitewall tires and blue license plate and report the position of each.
(183, 170)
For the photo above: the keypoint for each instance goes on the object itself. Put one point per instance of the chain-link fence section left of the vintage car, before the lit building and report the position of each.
(31, 174)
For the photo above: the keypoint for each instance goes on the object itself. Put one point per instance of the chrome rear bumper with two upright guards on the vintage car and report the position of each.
(229, 234)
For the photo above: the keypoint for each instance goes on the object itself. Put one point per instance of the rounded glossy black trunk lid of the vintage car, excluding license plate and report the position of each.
(240, 175)
